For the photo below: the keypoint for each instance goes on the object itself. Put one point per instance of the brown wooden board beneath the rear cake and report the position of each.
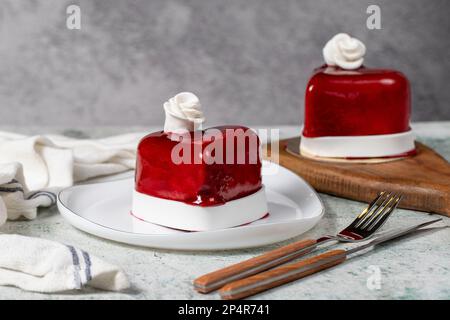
(423, 179)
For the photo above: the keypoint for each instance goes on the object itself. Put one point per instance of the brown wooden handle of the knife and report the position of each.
(281, 275)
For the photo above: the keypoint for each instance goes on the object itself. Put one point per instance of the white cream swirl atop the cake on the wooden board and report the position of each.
(344, 51)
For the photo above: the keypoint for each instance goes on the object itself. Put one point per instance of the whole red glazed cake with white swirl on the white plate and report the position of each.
(193, 179)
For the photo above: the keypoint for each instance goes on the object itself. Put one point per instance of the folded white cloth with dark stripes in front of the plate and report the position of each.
(41, 265)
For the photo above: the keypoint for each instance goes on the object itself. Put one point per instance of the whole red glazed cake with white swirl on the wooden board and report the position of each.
(354, 112)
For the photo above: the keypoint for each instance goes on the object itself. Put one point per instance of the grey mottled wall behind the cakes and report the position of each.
(248, 60)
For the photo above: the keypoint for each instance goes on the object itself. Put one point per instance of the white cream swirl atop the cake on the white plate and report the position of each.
(183, 112)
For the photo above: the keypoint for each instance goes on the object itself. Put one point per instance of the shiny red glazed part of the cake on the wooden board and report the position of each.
(356, 102)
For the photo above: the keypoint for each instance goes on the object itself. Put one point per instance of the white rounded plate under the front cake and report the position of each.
(103, 209)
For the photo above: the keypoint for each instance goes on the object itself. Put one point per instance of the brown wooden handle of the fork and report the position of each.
(219, 278)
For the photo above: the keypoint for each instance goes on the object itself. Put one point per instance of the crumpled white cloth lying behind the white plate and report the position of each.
(34, 168)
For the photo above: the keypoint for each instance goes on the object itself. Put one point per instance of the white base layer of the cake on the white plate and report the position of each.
(179, 215)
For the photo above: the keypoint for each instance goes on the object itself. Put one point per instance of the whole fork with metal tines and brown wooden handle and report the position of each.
(365, 225)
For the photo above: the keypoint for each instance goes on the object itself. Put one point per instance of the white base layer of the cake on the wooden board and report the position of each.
(375, 146)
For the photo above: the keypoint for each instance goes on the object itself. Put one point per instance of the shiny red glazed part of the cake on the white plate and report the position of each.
(197, 183)
